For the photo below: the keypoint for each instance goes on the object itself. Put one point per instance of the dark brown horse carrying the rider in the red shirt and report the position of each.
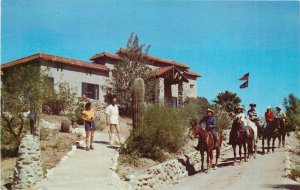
(273, 130)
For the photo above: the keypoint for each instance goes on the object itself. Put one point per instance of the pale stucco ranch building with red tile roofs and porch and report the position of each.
(175, 80)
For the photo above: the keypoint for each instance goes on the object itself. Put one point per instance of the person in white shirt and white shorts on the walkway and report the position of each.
(112, 119)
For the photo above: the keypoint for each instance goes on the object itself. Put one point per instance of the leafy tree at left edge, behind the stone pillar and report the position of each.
(24, 88)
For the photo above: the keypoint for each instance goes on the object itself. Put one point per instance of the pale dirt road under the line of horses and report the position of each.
(264, 172)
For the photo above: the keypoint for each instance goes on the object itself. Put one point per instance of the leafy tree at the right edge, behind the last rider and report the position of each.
(292, 106)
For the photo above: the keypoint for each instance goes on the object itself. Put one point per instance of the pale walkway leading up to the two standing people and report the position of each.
(86, 169)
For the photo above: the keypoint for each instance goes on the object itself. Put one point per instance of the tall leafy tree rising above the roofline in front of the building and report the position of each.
(133, 64)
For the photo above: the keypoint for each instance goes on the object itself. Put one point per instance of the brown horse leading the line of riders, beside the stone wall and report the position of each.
(206, 144)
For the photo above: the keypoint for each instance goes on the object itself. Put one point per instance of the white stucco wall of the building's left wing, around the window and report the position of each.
(75, 77)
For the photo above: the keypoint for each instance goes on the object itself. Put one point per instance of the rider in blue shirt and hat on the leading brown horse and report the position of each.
(211, 124)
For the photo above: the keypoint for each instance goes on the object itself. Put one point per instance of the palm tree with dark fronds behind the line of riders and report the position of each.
(227, 101)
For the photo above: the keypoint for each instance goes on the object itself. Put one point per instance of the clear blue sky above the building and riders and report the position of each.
(220, 40)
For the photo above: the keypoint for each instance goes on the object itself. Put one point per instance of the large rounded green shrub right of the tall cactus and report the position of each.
(163, 130)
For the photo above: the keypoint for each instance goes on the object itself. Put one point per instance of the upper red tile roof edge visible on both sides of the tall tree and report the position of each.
(151, 58)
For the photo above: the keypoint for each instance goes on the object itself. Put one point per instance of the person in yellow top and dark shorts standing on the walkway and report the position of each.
(88, 117)
